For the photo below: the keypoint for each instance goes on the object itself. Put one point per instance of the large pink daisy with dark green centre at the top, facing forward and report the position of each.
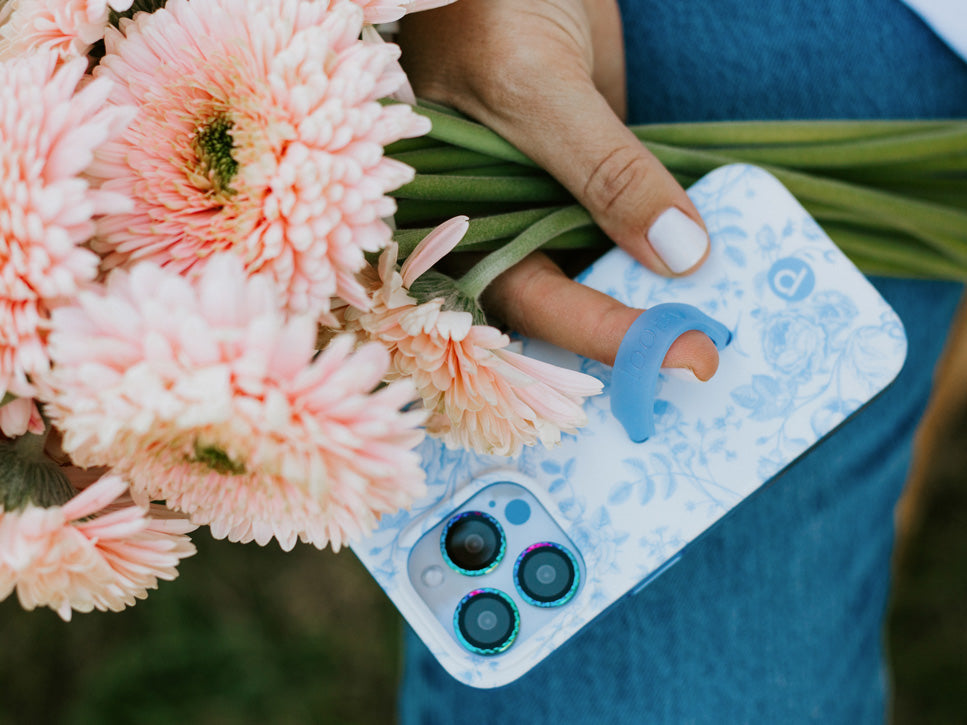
(259, 131)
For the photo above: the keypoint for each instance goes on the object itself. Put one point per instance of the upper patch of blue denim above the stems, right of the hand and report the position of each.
(707, 60)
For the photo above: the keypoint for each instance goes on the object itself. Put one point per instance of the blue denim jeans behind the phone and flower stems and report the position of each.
(776, 616)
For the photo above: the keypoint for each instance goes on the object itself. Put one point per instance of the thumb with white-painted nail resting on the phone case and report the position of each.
(571, 131)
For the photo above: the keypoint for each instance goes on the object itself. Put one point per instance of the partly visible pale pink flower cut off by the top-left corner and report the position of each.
(67, 27)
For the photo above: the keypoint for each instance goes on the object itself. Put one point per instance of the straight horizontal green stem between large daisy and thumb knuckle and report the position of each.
(443, 187)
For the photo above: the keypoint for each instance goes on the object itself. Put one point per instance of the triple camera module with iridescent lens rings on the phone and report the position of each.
(496, 569)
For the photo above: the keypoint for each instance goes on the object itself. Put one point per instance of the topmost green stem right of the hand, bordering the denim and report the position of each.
(766, 133)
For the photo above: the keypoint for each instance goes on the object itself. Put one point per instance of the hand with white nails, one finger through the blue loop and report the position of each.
(548, 75)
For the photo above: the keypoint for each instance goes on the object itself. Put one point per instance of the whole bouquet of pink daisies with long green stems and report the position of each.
(203, 318)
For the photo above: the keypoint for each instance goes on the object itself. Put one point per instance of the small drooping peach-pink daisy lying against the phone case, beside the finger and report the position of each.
(483, 397)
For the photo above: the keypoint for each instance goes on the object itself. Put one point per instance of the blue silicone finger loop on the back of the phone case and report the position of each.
(639, 358)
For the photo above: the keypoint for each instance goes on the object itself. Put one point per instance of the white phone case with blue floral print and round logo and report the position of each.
(812, 341)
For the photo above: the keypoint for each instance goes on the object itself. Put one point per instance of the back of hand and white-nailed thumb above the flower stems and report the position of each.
(527, 71)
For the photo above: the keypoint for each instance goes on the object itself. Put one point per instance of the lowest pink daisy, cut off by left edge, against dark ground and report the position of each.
(93, 552)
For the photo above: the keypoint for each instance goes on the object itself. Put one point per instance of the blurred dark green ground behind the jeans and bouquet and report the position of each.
(254, 635)
